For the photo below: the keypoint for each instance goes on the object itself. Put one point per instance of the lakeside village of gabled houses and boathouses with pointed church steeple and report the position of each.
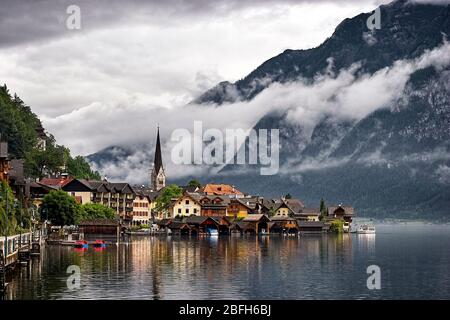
(196, 209)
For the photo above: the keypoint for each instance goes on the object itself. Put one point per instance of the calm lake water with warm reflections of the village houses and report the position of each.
(414, 260)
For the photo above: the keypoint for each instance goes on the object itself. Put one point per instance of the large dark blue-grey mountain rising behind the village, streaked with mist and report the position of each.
(391, 159)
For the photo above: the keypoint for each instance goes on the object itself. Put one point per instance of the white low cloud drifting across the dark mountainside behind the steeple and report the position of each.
(338, 97)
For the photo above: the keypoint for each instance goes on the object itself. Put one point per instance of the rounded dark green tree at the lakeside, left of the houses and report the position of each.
(60, 208)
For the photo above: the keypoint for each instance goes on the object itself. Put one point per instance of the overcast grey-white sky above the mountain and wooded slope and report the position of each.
(107, 83)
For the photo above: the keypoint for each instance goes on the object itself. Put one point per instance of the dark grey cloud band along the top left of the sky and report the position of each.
(29, 21)
